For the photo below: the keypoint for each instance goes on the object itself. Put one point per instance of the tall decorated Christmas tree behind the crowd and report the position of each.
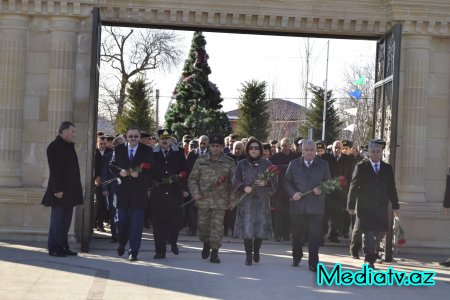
(197, 108)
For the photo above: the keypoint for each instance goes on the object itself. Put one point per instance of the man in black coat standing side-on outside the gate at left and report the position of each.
(64, 189)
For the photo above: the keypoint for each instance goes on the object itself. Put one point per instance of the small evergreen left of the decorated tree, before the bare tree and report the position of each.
(139, 112)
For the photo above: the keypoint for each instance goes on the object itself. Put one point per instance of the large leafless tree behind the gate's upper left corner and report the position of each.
(127, 52)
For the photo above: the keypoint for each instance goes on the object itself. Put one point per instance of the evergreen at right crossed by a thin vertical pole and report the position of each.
(315, 114)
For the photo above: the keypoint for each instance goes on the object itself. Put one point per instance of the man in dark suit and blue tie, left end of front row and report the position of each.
(127, 163)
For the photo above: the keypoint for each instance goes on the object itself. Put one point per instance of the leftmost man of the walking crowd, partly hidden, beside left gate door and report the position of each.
(100, 206)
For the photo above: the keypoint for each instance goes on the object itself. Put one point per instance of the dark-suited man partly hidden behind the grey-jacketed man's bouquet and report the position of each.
(335, 207)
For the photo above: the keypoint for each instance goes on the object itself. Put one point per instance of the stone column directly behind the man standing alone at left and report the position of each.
(62, 76)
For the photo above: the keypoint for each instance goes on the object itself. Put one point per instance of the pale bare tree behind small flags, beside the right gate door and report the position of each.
(364, 116)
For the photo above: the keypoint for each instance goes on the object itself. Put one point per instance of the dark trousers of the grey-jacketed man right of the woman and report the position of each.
(311, 224)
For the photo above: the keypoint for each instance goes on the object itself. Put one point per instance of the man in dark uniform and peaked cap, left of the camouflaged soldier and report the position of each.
(166, 198)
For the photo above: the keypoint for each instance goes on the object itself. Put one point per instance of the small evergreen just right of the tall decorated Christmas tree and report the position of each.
(253, 115)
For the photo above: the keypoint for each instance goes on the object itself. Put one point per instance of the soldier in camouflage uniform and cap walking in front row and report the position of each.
(210, 187)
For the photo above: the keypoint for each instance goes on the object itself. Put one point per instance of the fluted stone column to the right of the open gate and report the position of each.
(417, 59)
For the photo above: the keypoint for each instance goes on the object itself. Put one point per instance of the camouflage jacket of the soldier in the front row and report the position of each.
(212, 180)
